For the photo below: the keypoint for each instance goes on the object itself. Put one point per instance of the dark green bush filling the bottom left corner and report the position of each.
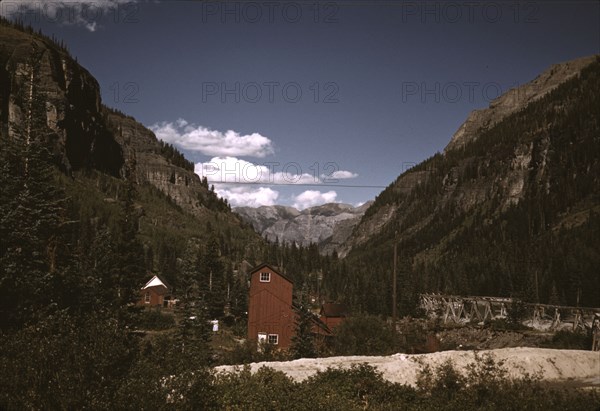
(64, 362)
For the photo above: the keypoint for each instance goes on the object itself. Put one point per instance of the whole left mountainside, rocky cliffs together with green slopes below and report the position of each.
(100, 149)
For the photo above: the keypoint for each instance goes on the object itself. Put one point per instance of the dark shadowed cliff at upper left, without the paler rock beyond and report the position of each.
(75, 130)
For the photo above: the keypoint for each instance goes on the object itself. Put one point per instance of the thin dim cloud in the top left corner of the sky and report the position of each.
(90, 14)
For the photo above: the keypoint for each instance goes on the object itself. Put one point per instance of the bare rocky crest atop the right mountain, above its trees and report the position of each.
(515, 100)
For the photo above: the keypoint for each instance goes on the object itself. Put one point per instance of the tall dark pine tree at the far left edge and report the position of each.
(34, 251)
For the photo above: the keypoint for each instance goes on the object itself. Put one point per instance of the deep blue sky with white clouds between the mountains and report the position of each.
(300, 103)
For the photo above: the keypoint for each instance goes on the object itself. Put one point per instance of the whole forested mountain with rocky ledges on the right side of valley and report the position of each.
(511, 207)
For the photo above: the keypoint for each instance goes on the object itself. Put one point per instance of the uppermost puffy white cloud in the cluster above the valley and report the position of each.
(212, 142)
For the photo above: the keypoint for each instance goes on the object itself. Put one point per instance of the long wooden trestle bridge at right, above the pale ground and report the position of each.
(460, 309)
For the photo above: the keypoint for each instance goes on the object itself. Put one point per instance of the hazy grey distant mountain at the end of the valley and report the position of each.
(327, 225)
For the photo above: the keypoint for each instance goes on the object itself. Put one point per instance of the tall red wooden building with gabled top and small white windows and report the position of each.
(271, 317)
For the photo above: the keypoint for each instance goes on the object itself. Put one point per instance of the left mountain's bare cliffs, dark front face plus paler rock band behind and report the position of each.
(80, 131)
